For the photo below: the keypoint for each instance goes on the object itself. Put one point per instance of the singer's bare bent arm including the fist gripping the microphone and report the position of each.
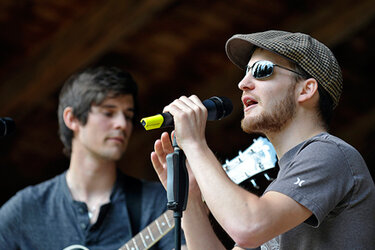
(250, 220)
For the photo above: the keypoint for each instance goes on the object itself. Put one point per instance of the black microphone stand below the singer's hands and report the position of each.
(177, 187)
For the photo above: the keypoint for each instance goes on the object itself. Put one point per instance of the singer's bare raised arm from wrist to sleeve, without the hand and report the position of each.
(249, 220)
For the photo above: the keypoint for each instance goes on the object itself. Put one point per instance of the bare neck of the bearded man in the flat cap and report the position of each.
(296, 131)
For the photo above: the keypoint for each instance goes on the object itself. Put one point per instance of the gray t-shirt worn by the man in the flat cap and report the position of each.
(331, 179)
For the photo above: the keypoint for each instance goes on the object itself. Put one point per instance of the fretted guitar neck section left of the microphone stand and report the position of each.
(152, 233)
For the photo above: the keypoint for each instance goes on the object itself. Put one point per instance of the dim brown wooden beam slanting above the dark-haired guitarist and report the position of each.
(71, 48)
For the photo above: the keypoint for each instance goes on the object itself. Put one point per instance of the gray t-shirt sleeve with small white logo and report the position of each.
(319, 178)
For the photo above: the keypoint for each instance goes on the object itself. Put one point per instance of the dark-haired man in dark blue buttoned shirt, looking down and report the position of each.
(92, 204)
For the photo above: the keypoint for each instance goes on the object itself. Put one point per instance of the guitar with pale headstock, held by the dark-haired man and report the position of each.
(257, 160)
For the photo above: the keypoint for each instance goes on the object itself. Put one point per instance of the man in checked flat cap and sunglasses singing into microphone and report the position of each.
(323, 197)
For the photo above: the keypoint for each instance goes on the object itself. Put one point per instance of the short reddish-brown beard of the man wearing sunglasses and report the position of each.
(274, 120)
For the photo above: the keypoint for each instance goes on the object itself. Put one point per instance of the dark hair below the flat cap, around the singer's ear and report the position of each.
(325, 106)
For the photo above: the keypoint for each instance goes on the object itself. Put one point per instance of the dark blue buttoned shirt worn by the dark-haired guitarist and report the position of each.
(46, 217)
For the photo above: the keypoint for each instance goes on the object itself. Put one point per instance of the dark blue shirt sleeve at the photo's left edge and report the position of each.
(10, 220)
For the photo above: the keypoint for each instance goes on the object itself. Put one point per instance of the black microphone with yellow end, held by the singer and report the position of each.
(217, 107)
